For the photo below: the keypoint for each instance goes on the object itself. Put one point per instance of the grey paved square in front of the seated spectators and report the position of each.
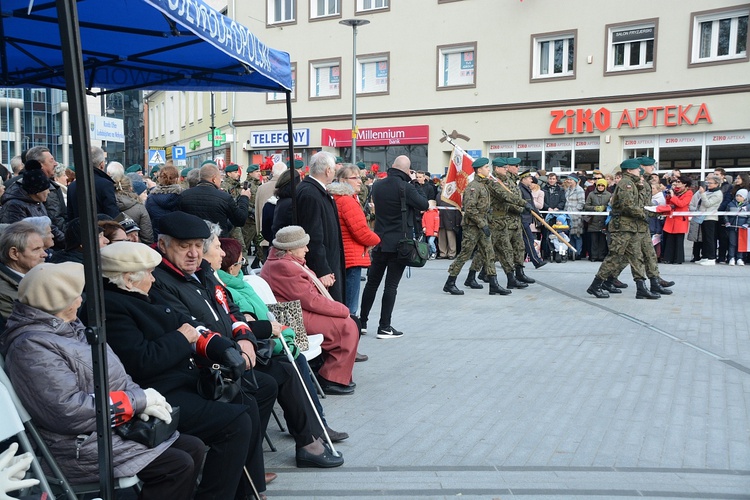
(546, 393)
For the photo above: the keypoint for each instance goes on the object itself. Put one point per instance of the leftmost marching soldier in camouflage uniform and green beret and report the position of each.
(476, 231)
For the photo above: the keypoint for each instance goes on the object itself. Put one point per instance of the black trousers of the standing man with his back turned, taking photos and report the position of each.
(382, 262)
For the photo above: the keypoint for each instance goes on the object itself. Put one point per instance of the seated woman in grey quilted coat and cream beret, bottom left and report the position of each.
(49, 362)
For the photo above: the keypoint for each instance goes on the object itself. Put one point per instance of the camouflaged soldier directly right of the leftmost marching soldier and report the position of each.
(506, 206)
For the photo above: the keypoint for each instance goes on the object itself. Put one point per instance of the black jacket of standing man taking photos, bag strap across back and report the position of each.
(386, 195)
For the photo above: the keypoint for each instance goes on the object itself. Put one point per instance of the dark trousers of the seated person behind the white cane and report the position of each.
(299, 415)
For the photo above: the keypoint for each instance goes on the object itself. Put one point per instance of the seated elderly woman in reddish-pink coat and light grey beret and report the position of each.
(290, 279)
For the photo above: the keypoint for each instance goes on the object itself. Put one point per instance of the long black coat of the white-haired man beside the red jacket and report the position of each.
(318, 215)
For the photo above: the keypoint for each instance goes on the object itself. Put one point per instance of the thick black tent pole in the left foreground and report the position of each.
(67, 14)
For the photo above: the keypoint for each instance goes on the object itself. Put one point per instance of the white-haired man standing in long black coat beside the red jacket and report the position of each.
(319, 217)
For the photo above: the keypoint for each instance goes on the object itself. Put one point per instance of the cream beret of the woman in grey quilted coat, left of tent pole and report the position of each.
(52, 287)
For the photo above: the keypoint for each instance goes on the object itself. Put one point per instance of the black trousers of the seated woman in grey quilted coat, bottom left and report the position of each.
(174, 473)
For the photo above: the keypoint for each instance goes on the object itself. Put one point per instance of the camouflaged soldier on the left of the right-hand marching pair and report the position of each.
(629, 221)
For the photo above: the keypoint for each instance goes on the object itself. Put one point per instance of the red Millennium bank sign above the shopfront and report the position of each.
(383, 136)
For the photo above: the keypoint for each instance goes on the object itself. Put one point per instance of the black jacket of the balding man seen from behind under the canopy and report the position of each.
(210, 203)
